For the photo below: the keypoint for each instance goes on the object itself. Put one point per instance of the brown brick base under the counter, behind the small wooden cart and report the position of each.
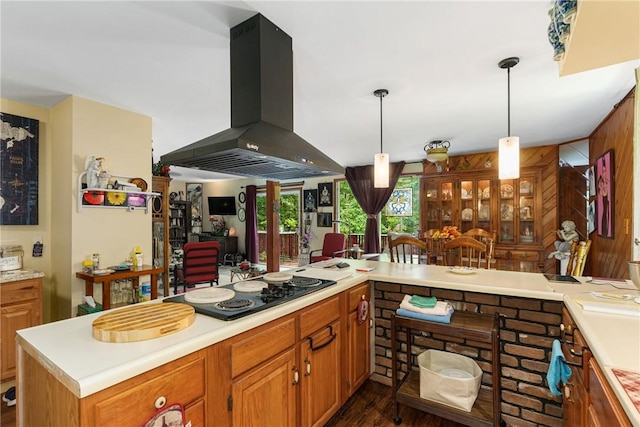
(528, 328)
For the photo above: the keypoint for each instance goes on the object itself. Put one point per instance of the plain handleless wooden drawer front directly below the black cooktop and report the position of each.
(259, 347)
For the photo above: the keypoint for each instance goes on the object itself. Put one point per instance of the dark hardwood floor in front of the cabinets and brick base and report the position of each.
(371, 406)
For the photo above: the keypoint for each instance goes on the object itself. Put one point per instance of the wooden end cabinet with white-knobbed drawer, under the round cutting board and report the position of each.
(131, 402)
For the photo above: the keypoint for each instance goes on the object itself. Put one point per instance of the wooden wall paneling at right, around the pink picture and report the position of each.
(609, 256)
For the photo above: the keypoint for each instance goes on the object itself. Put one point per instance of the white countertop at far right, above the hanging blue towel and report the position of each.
(614, 341)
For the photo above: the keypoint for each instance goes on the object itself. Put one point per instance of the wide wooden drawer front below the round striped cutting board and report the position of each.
(133, 402)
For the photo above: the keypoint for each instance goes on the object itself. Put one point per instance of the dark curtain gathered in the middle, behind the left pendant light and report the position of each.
(371, 200)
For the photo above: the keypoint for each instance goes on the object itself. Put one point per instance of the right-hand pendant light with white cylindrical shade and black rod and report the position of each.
(509, 147)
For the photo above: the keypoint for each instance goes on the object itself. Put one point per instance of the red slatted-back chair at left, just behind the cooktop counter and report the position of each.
(199, 264)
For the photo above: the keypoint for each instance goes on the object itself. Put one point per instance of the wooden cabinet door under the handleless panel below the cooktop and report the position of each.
(267, 395)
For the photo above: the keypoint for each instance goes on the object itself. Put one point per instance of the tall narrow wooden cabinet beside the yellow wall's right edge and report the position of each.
(160, 227)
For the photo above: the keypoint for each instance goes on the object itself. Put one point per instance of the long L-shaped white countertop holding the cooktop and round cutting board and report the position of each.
(86, 365)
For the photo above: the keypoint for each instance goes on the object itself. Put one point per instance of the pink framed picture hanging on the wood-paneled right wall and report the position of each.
(605, 195)
